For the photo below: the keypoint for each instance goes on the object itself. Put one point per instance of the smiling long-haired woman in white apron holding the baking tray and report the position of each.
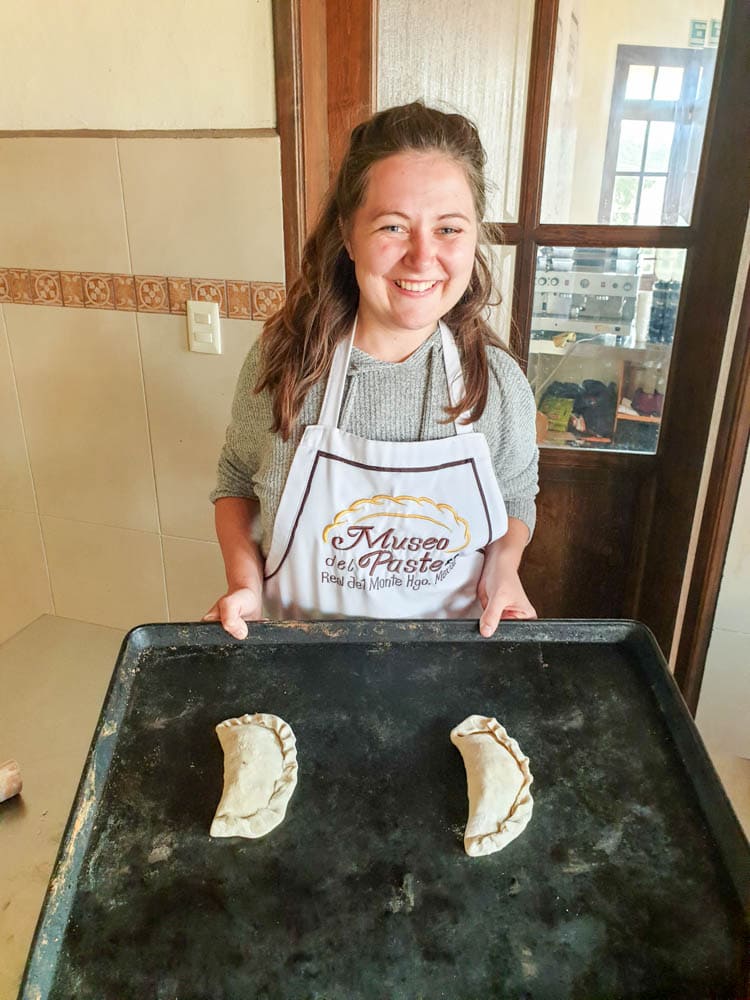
(379, 402)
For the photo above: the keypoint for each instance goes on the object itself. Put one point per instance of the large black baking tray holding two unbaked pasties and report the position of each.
(631, 879)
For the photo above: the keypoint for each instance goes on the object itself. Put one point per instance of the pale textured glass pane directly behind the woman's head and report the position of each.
(467, 56)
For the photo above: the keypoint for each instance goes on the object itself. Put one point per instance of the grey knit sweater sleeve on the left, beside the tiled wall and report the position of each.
(250, 423)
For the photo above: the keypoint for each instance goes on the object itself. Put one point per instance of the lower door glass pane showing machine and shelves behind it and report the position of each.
(602, 328)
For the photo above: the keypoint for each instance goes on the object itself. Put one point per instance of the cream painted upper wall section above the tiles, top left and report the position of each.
(98, 64)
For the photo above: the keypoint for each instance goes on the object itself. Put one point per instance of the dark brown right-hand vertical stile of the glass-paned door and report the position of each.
(722, 200)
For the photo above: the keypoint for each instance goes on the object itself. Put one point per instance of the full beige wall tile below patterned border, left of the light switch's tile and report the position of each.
(81, 389)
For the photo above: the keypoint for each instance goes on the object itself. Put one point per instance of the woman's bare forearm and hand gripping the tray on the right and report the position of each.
(500, 591)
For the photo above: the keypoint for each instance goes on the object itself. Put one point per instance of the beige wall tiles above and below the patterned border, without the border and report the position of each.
(111, 427)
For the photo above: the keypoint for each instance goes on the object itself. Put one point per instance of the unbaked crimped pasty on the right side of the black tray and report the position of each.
(498, 779)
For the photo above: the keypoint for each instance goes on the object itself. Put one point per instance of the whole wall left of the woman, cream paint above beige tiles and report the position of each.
(111, 427)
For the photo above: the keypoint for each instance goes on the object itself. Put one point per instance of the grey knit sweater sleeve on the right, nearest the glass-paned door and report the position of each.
(509, 423)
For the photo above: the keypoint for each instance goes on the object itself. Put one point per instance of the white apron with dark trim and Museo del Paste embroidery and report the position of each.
(383, 529)
